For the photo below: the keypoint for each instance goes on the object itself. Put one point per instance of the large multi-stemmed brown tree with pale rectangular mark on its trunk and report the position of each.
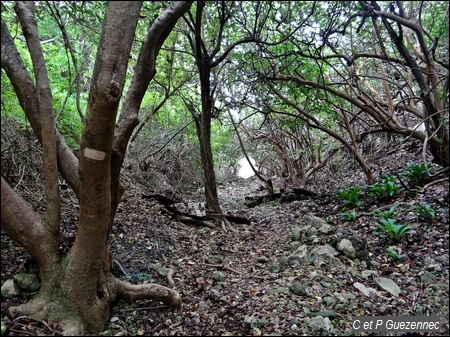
(78, 289)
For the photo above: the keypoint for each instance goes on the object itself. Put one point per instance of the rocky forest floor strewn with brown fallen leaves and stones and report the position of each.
(289, 272)
